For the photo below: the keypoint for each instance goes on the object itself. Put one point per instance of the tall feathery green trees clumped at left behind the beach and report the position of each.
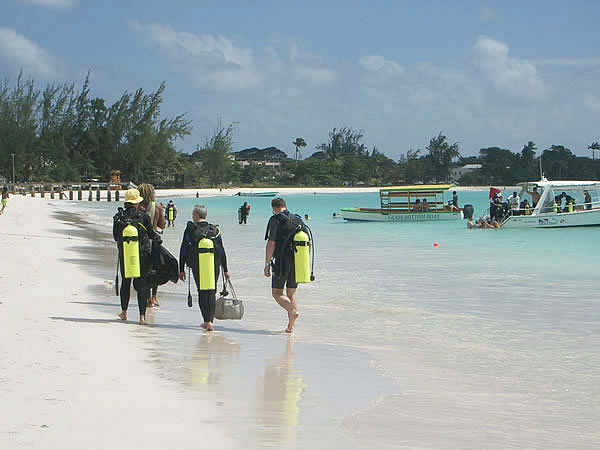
(62, 133)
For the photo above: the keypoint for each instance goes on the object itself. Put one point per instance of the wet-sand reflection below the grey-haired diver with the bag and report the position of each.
(213, 350)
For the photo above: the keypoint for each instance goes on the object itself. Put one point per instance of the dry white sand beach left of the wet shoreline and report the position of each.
(71, 376)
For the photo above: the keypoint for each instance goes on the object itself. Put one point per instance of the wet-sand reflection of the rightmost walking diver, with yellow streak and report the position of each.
(278, 395)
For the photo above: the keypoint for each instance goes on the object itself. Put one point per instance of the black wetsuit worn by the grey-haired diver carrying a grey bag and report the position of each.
(207, 300)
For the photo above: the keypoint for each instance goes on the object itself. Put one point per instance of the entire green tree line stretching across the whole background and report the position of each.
(63, 133)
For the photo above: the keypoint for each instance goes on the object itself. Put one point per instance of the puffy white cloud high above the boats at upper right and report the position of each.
(513, 76)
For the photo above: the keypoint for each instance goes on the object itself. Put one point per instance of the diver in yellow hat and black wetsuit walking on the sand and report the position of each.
(131, 215)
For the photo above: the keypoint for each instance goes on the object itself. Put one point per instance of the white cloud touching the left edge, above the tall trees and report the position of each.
(18, 51)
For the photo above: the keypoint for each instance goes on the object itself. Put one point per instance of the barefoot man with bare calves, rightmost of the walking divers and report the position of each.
(279, 256)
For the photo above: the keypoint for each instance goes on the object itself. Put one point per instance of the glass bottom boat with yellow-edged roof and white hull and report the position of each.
(417, 203)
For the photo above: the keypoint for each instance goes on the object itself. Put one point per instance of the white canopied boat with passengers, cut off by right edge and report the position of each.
(552, 212)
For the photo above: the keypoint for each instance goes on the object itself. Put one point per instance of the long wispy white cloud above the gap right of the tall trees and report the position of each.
(206, 58)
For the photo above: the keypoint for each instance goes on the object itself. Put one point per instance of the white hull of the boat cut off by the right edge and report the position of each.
(588, 218)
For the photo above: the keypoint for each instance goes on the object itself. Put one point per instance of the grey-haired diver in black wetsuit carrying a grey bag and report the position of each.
(195, 231)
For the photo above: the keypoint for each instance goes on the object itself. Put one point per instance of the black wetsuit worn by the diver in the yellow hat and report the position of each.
(140, 284)
